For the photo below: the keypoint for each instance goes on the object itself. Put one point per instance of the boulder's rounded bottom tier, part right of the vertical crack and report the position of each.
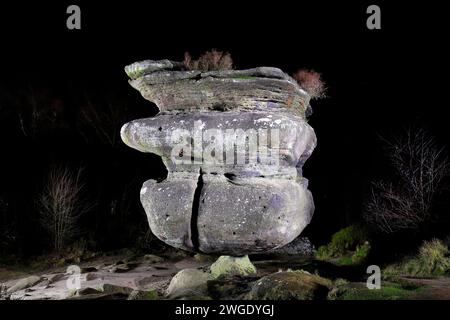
(250, 215)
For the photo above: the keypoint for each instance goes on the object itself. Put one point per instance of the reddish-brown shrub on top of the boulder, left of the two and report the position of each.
(209, 61)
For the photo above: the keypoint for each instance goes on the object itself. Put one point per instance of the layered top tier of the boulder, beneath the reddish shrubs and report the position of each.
(172, 89)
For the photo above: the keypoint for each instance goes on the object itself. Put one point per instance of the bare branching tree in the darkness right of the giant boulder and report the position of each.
(421, 167)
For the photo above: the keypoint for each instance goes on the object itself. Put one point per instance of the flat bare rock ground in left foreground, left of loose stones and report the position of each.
(150, 279)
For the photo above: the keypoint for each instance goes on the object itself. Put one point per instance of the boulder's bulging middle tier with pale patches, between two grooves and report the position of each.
(159, 135)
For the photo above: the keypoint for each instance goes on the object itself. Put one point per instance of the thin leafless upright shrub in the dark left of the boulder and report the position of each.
(61, 204)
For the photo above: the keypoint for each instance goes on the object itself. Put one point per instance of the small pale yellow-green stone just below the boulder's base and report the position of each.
(227, 266)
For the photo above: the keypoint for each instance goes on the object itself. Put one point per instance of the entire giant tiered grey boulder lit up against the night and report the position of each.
(234, 143)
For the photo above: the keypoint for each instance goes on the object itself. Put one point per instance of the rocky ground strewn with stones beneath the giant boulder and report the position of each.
(177, 275)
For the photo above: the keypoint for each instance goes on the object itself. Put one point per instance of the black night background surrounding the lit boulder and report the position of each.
(379, 82)
